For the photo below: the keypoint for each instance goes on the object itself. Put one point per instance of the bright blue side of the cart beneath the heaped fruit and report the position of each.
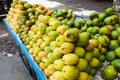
(30, 66)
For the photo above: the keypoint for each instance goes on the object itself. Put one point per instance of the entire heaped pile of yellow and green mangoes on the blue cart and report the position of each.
(66, 49)
